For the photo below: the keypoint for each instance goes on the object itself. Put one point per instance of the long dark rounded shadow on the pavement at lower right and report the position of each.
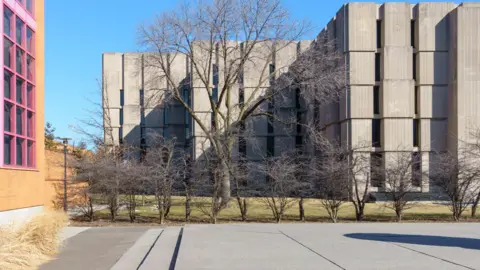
(427, 240)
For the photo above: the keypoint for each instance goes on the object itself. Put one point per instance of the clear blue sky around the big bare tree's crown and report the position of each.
(77, 32)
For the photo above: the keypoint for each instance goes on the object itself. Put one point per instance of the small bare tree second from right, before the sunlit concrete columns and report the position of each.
(403, 175)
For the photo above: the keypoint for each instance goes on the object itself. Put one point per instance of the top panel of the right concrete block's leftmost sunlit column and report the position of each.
(362, 26)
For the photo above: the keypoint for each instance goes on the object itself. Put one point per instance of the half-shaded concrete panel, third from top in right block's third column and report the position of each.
(433, 101)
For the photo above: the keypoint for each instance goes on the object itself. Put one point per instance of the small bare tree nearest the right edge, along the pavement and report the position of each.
(458, 175)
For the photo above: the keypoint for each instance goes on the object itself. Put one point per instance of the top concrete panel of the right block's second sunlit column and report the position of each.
(396, 24)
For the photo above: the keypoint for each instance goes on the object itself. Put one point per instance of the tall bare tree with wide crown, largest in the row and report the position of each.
(231, 45)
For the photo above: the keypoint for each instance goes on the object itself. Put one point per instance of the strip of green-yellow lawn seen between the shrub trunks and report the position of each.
(258, 212)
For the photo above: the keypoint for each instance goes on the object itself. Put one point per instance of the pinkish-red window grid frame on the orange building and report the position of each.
(27, 102)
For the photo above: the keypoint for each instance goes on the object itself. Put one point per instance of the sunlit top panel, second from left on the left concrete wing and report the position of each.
(132, 78)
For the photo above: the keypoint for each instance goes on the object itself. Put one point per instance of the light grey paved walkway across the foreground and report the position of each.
(272, 246)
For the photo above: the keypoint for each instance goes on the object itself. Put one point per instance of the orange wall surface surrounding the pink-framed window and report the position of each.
(25, 188)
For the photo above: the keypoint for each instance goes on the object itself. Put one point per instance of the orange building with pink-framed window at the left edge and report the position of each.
(22, 160)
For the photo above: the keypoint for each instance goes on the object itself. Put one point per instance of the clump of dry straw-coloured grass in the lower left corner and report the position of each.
(33, 243)
